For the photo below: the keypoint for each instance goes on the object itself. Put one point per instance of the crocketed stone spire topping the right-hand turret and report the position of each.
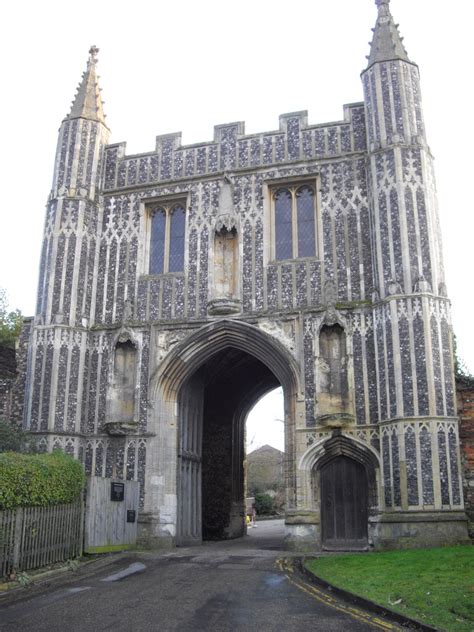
(386, 43)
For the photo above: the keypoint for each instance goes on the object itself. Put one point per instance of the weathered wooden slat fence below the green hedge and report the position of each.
(31, 537)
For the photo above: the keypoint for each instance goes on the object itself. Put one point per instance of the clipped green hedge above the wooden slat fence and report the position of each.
(38, 480)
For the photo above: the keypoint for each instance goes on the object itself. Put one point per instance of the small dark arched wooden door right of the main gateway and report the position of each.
(344, 504)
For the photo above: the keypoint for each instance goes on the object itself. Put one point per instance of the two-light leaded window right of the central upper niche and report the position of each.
(294, 217)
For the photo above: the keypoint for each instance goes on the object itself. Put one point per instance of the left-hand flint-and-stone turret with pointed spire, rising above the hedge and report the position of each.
(68, 267)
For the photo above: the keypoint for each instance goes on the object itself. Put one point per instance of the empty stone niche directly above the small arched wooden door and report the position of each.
(333, 383)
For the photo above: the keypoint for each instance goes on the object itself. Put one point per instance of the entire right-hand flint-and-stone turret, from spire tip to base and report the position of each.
(412, 330)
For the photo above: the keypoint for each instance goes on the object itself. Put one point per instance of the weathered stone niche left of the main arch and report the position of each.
(121, 417)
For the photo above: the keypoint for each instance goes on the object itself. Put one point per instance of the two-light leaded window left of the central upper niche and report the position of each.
(167, 238)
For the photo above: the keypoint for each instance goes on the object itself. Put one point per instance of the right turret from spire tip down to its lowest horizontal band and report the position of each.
(405, 235)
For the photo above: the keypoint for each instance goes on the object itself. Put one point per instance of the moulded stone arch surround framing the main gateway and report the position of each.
(161, 490)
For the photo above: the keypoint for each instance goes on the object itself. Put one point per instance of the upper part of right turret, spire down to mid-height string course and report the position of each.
(407, 241)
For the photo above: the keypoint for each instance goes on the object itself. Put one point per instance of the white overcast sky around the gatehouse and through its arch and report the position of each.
(189, 65)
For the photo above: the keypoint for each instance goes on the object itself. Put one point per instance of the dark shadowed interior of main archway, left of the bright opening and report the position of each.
(213, 404)
